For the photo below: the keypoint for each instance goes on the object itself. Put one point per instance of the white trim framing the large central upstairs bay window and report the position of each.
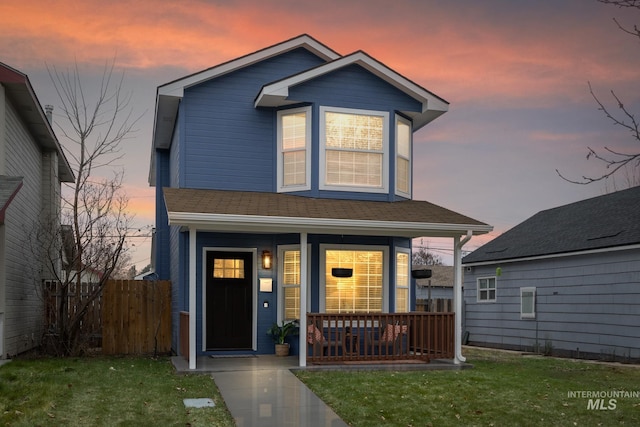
(385, 151)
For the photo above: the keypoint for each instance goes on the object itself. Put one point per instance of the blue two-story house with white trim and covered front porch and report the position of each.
(273, 171)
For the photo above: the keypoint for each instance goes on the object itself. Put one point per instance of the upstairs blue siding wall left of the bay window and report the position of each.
(229, 144)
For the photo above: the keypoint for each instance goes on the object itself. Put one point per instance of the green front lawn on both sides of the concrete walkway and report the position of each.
(503, 389)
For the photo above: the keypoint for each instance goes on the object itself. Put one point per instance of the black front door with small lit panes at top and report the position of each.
(229, 310)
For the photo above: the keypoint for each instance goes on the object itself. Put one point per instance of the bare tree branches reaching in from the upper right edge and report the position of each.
(615, 160)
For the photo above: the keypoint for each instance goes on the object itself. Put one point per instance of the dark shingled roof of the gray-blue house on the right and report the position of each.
(608, 221)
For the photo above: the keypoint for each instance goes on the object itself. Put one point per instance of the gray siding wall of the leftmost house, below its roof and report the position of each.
(23, 305)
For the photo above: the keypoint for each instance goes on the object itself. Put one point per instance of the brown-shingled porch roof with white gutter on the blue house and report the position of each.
(220, 210)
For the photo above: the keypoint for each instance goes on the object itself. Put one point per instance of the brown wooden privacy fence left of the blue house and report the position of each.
(129, 317)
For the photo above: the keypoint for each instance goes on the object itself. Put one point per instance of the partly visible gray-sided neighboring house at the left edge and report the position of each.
(32, 167)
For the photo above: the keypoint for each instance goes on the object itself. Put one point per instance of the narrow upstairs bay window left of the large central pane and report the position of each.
(294, 139)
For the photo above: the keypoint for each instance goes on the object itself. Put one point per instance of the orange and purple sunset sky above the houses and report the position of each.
(515, 73)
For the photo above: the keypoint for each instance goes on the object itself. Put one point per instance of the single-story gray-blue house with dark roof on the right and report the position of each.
(566, 282)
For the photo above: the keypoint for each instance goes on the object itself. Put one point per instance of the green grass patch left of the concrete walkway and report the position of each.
(101, 391)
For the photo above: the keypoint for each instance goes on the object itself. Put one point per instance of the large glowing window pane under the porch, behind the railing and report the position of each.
(360, 293)
